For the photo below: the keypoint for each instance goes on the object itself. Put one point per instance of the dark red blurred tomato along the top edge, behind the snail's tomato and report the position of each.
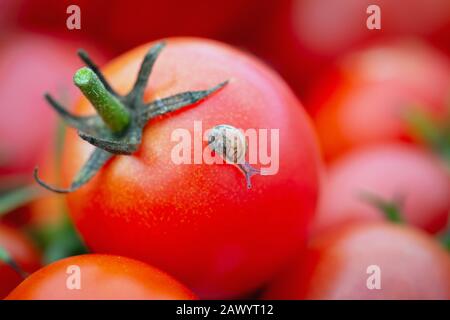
(124, 24)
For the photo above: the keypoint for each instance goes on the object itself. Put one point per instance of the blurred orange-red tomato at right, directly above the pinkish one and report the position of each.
(368, 97)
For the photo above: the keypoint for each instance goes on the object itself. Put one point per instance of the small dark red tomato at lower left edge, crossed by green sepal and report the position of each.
(22, 252)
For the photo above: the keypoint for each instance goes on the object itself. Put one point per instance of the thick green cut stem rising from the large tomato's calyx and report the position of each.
(110, 109)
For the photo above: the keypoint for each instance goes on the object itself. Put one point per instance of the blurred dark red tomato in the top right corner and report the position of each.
(309, 34)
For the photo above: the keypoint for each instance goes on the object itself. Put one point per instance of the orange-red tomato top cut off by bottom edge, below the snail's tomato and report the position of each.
(101, 277)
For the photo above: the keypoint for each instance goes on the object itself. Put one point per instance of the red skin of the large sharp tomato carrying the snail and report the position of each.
(199, 222)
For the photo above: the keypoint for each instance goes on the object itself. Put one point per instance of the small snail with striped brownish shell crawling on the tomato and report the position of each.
(229, 142)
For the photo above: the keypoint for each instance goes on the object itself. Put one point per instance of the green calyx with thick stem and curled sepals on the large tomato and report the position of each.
(118, 127)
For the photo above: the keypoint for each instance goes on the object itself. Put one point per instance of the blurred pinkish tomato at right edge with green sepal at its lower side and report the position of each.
(391, 173)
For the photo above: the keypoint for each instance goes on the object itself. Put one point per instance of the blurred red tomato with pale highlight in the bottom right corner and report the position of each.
(341, 264)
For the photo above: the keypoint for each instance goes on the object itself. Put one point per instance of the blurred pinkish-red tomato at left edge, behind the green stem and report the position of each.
(31, 64)
